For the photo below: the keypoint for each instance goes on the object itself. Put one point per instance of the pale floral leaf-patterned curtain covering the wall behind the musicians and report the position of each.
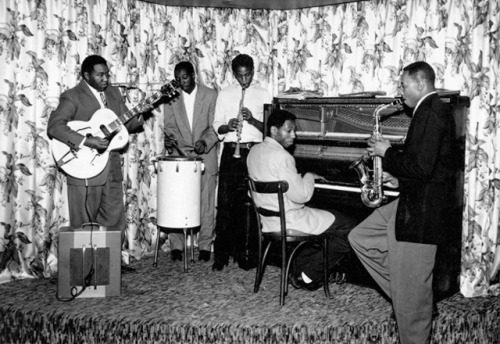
(338, 49)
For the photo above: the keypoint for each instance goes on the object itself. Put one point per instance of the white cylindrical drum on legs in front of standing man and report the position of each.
(179, 191)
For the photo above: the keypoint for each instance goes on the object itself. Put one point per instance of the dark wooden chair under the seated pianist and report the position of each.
(290, 240)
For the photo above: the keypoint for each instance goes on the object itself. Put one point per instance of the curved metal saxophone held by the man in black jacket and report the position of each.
(372, 192)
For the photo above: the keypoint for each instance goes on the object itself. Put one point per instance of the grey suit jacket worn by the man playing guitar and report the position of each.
(80, 104)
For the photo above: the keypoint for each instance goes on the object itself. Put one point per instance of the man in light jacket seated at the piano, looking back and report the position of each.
(270, 161)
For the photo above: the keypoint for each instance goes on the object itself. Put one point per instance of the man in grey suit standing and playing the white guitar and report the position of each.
(96, 199)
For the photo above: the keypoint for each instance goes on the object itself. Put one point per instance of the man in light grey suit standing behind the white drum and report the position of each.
(188, 124)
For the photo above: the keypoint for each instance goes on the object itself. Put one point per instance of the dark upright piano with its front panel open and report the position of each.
(332, 133)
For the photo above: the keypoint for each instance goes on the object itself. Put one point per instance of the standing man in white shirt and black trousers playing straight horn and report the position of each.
(239, 115)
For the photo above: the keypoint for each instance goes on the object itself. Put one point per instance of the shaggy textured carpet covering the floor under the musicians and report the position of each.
(166, 305)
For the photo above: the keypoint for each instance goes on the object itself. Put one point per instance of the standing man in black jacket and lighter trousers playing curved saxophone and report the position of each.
(398, 242)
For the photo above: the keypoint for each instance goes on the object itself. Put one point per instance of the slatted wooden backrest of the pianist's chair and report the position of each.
(276, 187)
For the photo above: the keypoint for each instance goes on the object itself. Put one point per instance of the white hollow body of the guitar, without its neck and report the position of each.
(87, 162)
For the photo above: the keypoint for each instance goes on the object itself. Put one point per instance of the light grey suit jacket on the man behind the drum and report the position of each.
(176, 123)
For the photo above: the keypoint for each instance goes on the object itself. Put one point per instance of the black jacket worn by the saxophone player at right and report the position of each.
(426, 168)
